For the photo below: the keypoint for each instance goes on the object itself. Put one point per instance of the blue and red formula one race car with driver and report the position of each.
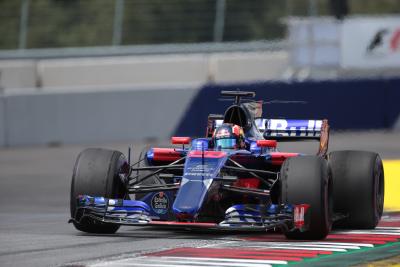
(234, 178)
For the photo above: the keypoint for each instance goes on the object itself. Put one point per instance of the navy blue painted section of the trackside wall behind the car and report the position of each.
(348, 104)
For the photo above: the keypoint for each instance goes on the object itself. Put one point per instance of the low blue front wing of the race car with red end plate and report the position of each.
(237, 217)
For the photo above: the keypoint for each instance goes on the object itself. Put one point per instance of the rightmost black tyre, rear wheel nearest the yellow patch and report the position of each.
(358, 188)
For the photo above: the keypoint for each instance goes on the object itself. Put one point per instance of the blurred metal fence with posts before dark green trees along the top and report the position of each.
(76, 23)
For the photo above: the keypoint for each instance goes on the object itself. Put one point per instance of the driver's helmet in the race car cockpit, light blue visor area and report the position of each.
(228, 136)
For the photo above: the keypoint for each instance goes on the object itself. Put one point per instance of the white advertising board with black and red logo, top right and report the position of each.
(372, 42)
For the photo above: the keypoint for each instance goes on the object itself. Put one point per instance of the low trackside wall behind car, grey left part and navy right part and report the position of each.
(55, 116)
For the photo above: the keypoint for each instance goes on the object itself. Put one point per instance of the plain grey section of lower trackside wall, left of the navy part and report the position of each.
(90, 117)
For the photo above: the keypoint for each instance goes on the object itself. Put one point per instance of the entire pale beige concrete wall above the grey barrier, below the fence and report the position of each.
(145, 70)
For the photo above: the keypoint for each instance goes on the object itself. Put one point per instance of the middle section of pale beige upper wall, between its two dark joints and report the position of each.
(141, 70)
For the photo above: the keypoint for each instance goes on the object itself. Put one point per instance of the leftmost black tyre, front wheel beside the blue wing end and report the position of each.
(96, 173)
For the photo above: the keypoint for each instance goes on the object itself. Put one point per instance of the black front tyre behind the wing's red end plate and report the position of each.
(306, 180)
